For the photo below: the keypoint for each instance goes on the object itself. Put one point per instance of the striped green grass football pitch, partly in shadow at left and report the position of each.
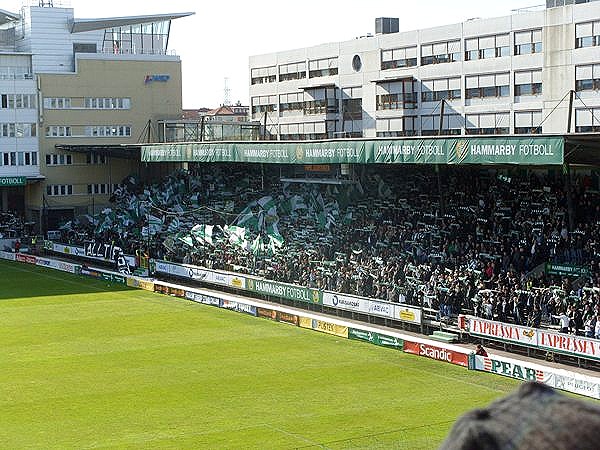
(88, 365)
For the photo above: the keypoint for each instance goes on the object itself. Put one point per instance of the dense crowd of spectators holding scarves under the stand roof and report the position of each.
(470, 240)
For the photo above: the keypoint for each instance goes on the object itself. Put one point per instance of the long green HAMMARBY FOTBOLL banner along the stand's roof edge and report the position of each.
(531, 150)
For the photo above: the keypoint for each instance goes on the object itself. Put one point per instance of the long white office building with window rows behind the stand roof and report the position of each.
(505, 75)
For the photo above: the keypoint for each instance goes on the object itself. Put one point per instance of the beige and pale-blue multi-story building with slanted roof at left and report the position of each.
(76, 90)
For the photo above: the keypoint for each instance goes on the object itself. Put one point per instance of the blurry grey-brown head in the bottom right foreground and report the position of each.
(535, 417)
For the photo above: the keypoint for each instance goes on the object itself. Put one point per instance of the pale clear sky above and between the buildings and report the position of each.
(217, 41)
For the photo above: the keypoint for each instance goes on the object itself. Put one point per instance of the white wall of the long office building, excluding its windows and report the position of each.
(557, 62)
